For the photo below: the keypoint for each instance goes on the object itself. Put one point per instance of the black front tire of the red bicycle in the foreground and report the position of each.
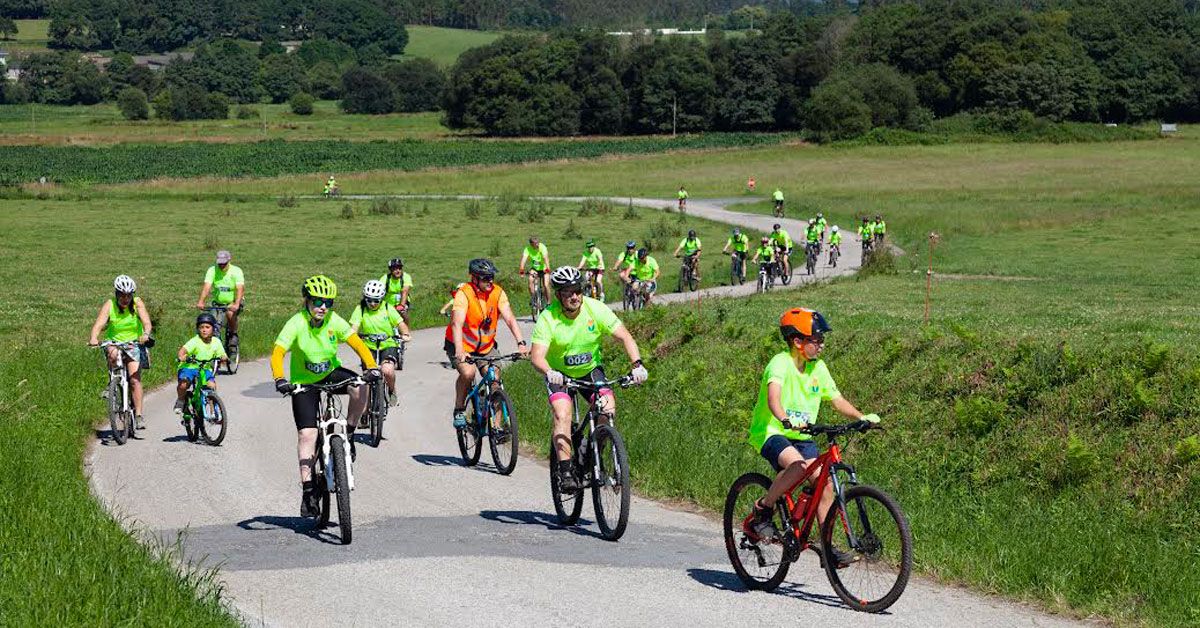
(872, 552)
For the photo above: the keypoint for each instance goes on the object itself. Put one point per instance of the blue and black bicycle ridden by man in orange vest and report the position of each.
(490, 414)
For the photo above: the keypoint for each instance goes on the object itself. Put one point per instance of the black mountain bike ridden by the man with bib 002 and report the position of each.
(601, 460)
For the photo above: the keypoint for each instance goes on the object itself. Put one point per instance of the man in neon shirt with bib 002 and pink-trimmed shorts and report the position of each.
(567, 344)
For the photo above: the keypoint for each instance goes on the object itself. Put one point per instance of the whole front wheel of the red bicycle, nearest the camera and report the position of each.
(883, 543)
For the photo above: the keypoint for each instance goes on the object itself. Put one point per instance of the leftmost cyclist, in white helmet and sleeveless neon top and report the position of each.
(124, 319)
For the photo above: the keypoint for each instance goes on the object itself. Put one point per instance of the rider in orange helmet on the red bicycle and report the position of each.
(793, 388)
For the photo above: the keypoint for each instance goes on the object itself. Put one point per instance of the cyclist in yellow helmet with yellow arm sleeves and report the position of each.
(313, 337)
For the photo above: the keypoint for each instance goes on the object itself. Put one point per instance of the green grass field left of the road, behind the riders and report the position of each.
(65, 561)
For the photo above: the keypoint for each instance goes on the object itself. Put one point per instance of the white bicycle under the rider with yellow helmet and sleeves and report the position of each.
(334, 462)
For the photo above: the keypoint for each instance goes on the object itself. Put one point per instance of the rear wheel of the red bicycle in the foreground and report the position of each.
(761, 564)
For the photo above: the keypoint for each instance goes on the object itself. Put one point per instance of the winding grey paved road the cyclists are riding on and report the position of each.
(440, 545)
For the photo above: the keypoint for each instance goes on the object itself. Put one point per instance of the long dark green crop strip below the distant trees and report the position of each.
(131, 163)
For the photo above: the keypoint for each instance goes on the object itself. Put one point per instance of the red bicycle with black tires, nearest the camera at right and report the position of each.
(855, 524)
